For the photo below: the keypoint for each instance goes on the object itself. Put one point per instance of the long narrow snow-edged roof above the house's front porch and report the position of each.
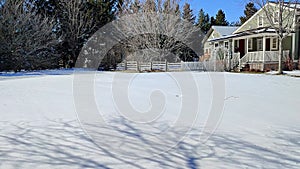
(257, 32)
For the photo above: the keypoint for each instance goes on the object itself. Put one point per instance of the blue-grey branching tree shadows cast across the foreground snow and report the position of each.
(121, 144)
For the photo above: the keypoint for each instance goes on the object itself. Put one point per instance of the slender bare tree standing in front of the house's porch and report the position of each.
(280, 15)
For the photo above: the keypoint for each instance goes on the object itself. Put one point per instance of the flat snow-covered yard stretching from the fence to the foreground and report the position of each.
(258, 126)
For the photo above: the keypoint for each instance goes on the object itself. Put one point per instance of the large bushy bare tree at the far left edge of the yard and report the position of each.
(27, 40)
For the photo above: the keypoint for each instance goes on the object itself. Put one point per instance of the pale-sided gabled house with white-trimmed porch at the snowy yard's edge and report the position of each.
(253, 45)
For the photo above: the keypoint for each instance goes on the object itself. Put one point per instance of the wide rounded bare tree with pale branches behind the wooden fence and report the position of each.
(164, 33)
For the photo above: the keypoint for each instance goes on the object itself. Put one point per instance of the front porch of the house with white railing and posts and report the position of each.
(258, 51)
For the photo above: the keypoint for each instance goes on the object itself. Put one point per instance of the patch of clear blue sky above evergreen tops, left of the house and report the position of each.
(232, 8)
